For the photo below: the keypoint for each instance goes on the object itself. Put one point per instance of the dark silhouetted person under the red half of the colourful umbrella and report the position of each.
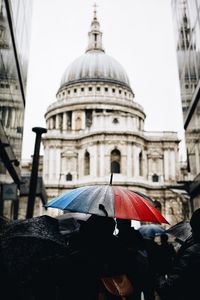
(139, 265)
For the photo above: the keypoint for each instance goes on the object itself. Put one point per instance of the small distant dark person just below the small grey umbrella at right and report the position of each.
(167, 255)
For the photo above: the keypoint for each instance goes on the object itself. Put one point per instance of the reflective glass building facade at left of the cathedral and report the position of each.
(15, 26)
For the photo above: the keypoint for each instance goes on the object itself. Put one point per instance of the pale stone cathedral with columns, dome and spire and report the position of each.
(96, 128)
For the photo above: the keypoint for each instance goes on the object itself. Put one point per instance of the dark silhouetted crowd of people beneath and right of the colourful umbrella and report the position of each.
(154, 268)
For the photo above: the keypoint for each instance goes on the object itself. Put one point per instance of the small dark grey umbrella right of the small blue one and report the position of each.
(182, 230)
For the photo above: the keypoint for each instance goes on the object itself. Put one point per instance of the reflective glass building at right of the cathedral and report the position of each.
(186, 16)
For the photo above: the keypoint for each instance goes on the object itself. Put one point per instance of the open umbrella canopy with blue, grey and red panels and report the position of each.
(108, 200)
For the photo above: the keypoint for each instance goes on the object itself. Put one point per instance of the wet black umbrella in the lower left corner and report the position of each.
(28, 245)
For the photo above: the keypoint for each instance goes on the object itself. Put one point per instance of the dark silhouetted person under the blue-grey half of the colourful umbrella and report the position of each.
(96, 253)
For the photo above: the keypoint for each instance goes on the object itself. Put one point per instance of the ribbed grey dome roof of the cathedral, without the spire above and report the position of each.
(95, 65)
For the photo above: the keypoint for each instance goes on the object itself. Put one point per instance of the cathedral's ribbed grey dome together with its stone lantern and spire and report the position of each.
(95, 65)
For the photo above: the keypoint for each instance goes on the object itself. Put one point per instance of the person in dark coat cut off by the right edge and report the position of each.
(183, 280)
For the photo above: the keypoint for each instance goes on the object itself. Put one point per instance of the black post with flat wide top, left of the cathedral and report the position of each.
(34, 172)
